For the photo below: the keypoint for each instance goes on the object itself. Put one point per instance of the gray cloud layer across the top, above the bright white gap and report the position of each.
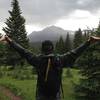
(45, 12)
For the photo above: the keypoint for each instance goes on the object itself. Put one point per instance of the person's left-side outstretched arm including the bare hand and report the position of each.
(23, 52)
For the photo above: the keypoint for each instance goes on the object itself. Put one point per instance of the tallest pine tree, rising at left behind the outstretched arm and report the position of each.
(15, 28)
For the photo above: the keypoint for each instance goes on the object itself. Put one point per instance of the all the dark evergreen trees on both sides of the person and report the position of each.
(88, 63)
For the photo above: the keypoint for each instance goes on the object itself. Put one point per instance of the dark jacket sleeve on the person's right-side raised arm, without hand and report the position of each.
(69, 58)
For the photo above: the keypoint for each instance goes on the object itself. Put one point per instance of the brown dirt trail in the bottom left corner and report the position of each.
(7, 92)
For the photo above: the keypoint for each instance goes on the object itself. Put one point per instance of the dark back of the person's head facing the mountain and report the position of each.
(47, 47)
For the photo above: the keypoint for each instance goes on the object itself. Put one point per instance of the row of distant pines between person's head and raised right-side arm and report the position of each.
(69, 43)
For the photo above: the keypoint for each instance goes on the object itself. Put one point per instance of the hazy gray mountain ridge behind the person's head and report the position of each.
(49, 33)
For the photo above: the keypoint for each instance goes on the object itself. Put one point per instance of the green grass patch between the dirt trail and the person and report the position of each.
(26, 87)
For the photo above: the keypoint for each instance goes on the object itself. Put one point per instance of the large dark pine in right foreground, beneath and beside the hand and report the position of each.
(89, 87)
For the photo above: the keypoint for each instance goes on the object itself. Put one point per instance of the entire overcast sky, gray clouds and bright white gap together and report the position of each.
(68, 14)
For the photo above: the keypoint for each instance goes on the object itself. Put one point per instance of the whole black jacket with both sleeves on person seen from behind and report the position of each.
(50, 87)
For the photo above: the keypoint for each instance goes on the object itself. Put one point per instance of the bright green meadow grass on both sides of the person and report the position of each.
(26, 88)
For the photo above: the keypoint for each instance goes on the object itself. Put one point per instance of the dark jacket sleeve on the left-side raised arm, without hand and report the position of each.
(32, 59)
